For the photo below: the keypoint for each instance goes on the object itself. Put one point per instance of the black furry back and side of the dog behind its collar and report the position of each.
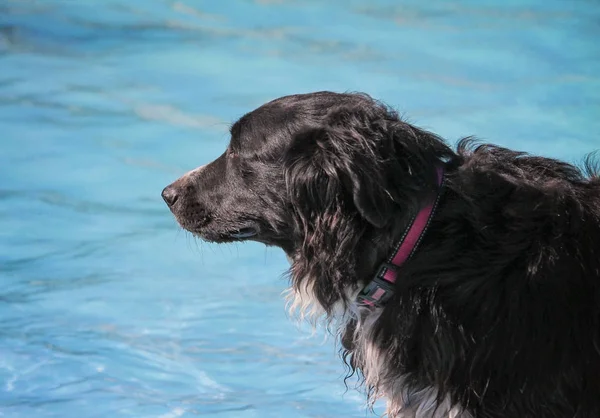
(514, 254)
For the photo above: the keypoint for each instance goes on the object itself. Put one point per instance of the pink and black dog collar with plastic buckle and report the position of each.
(381, 288)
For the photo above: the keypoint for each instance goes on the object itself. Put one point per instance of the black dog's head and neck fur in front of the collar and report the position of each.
(321, 175)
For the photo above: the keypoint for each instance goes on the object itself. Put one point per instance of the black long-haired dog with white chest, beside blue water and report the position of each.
(464, 282)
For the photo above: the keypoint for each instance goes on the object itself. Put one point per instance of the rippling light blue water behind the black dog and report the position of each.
(107, 308)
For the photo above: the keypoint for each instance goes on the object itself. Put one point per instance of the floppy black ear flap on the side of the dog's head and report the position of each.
(333, 169)
